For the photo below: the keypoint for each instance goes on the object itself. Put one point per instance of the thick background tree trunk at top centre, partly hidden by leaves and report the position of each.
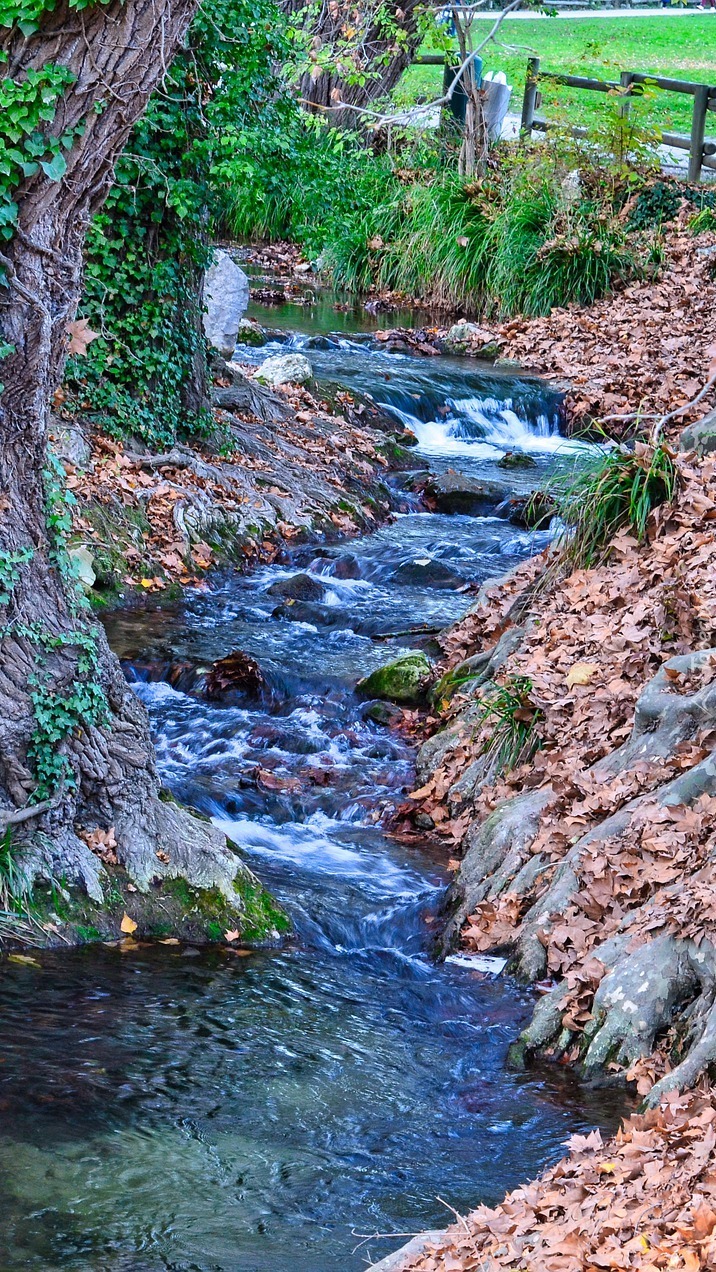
(377, 52)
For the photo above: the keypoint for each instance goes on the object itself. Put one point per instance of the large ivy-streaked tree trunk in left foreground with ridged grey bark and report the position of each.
(63, 693)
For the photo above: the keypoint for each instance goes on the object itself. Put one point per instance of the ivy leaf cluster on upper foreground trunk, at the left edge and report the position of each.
(26, 106)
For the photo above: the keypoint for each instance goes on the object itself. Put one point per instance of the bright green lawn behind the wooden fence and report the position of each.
(664, 45)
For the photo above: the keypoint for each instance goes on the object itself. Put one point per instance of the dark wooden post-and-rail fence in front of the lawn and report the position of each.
(701, 152)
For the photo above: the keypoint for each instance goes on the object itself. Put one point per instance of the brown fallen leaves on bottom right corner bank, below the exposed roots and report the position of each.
(645, 1200)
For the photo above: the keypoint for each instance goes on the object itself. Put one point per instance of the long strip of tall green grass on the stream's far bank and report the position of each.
(523, 240)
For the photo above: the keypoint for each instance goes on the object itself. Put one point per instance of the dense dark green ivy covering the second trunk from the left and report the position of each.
(148, 247)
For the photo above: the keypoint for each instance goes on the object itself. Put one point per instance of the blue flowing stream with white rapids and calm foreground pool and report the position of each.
(181, 1110)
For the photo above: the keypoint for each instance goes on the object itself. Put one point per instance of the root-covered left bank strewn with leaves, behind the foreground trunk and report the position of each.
(275, 467)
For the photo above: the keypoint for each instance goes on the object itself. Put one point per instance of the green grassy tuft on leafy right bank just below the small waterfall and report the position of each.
(619, 492)
